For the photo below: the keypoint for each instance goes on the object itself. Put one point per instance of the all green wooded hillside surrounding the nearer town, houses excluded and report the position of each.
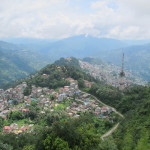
(84, 133)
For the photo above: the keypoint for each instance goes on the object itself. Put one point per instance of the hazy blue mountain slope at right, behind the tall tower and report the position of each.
(137, 59)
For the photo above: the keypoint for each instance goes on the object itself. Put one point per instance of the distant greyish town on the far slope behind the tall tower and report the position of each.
(110, 74)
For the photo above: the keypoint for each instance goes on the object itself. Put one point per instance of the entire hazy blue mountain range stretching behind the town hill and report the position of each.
(26, 55)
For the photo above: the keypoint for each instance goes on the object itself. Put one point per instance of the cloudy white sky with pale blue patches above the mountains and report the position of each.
(57, 19)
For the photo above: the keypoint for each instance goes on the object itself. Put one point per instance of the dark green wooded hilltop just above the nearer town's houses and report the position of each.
(55, 76)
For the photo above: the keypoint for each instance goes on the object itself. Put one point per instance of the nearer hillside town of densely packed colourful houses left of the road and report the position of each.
(69, 99)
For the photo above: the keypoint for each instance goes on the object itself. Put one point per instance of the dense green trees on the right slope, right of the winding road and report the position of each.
(134, 103)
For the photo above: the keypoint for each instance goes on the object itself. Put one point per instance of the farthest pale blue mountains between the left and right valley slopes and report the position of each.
(47, 51)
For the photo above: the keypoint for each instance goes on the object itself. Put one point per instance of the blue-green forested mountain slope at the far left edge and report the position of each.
(12, 66)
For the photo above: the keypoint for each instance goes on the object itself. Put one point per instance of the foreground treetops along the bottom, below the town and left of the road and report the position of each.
(63, 134)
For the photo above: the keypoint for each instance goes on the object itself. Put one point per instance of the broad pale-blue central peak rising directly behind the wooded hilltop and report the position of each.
(81, 46)
